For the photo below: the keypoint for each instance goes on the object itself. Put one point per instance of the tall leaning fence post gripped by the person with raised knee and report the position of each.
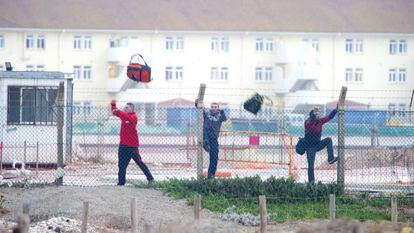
(341, 138)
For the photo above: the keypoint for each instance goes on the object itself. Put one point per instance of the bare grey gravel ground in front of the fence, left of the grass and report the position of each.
(109, 207)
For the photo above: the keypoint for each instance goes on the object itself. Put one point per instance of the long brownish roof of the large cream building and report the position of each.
(332, 16)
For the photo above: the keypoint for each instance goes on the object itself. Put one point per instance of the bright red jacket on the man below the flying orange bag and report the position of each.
(129, 133)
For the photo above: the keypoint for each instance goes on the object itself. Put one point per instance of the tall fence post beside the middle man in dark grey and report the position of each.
(200, 109)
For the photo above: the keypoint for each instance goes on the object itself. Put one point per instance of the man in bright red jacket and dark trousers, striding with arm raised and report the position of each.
(129, 143)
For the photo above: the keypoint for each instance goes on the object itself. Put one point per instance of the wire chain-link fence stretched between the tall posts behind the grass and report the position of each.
(379, 147)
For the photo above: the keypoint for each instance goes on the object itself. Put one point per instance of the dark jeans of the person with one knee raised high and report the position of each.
(311, 153)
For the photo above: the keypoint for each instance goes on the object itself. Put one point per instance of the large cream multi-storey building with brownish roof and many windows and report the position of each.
(297, 51)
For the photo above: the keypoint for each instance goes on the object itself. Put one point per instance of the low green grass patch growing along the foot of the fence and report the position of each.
(286, 199)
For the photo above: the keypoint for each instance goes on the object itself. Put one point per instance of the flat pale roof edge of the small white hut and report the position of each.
(32, 74)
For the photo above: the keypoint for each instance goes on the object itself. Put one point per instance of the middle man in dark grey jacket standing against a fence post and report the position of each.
(213, 118)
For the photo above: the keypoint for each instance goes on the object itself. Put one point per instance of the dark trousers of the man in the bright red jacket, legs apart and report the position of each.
(125, 154)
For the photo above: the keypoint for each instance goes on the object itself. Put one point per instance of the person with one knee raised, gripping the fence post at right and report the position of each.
(313, 132)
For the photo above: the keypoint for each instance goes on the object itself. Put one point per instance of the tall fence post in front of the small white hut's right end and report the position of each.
(60, 122)
